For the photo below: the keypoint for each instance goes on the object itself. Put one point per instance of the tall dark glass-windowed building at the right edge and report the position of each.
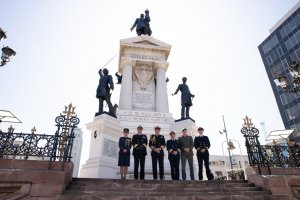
(279, 49)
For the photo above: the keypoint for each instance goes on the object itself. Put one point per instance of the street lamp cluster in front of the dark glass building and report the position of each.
(282, 81)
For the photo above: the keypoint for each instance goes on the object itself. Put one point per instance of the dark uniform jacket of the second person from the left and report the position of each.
(139, 143)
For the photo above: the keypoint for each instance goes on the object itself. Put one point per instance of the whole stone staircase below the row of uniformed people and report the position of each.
(112, 189)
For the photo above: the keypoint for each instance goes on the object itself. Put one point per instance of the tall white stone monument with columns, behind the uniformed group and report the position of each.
(143, 63)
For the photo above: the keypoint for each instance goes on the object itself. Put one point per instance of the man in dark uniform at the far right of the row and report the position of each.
(202, 145)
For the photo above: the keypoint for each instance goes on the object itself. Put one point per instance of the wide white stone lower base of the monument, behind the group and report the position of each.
(105, 134)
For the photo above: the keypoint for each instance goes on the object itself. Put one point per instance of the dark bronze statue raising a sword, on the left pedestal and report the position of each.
(103, 92)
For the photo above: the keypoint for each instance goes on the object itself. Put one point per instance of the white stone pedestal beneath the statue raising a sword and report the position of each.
(103, 155)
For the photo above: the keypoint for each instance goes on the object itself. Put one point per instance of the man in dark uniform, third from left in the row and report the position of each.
(157, 144)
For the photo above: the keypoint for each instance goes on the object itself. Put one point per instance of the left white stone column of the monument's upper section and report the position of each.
(125, 102)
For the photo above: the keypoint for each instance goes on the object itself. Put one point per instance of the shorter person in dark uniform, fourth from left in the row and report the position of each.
(173, 147)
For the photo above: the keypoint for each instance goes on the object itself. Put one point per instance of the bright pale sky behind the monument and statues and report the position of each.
(61, 45)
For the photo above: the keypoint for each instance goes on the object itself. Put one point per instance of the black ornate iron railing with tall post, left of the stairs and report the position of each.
(57, 147)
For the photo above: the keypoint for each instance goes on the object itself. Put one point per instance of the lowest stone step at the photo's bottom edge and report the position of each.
(169, 197)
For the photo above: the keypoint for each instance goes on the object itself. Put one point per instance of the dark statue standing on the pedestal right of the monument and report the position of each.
(186, 98)
